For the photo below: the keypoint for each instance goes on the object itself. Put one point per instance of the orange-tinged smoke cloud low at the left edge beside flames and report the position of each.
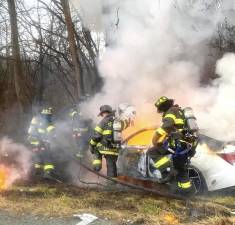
(16, 159)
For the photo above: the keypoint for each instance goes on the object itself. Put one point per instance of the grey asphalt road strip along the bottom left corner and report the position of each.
(8, 219)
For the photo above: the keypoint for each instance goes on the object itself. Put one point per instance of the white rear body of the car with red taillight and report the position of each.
(214, 164)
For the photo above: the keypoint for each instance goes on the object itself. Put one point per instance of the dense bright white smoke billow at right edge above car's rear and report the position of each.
(219, 116)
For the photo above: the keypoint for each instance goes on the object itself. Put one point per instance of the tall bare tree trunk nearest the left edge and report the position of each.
(18, 69)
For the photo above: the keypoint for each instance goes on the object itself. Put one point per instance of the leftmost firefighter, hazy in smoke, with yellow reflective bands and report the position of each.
(40, 132)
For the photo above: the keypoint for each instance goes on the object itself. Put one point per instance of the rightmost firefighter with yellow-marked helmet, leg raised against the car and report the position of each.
(173, 129)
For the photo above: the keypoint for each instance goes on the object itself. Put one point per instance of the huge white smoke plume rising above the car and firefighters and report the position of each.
(159, 48)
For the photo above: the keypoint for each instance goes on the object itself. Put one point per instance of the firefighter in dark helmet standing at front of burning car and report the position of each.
(105, 140)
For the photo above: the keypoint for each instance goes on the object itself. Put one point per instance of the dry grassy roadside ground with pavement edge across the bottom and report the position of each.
(58, 203)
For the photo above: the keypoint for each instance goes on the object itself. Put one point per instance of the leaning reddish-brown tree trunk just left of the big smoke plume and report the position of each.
(72, 45)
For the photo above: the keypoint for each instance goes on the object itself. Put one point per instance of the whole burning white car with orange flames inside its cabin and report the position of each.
(212, 168)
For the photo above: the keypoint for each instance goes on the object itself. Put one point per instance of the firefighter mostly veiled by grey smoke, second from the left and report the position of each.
(81, 128)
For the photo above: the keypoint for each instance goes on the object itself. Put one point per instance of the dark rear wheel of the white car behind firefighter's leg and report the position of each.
(197, 179)
